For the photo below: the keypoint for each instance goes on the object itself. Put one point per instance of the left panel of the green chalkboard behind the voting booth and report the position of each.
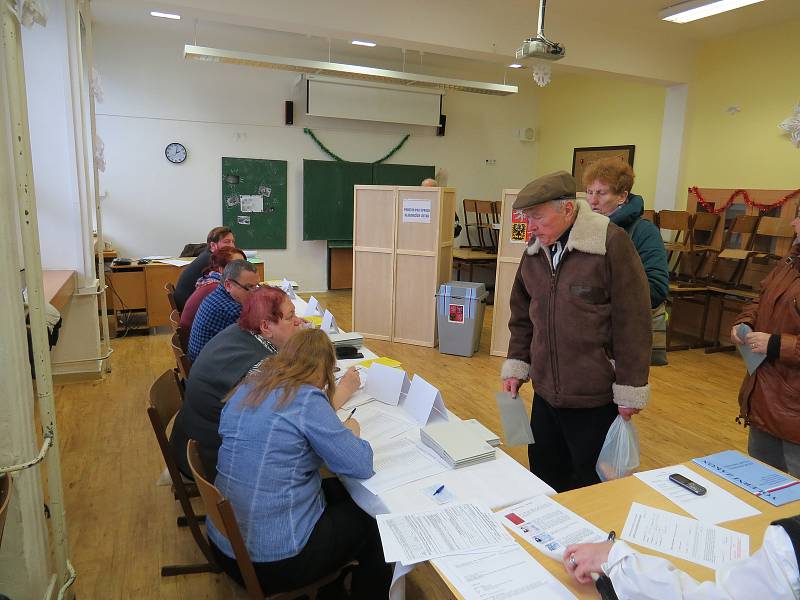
(328, 197)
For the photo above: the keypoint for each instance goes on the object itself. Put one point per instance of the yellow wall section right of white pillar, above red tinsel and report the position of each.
(758, 72)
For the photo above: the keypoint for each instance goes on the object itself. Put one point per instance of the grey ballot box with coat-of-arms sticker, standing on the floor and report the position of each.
(459, 315)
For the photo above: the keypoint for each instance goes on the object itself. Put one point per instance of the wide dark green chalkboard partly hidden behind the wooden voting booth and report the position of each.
(328, 192)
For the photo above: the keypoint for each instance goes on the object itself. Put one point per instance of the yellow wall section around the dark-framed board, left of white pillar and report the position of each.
(586, 110)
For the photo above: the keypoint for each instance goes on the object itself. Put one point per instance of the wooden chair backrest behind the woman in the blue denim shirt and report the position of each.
(220, 512)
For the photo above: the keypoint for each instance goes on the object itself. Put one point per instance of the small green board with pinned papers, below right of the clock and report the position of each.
(254, 201)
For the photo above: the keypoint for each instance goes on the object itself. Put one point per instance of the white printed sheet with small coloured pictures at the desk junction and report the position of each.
(549, 526)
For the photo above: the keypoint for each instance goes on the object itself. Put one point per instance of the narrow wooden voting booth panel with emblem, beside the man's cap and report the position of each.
(512, 243)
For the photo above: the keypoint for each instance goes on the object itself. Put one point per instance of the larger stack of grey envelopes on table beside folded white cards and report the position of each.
(457, 443)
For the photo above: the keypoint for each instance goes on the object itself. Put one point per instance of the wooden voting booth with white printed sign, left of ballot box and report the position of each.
(402, 252)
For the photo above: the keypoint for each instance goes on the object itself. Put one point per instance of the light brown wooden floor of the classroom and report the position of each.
(122, 526)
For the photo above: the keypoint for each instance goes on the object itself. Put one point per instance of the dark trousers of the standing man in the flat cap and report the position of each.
(567, 442)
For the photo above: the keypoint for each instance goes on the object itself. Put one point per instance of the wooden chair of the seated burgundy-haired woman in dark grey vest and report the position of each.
(164, 403)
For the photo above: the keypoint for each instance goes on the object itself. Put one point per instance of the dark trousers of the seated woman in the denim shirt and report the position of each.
(343, 533)
